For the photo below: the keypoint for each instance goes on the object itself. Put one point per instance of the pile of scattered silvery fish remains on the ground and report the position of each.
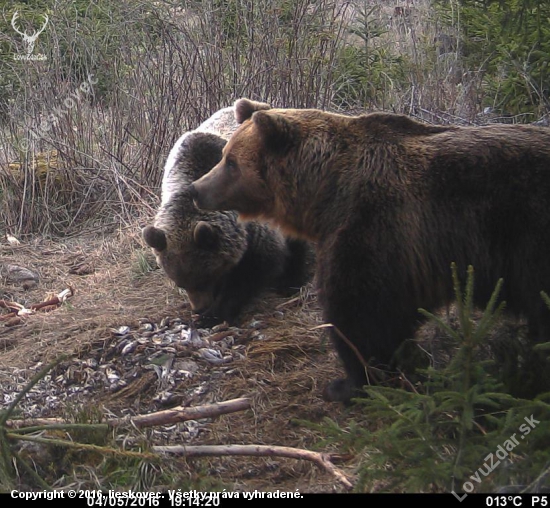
(153, 366)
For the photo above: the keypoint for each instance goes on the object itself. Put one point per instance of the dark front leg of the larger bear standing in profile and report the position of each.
(371, 303)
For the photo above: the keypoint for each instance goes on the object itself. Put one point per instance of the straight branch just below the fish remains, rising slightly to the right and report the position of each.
(169, 416)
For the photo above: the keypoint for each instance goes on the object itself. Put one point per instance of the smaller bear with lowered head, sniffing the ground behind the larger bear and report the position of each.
(221, 263)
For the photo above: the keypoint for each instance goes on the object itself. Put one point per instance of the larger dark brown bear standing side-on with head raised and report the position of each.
(391, 203)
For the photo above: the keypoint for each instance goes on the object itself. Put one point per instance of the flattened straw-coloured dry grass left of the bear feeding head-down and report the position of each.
(109, 296)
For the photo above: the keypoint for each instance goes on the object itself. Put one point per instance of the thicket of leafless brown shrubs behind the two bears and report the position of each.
(85, 132)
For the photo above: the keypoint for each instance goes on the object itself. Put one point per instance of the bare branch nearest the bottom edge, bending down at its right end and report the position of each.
(322, 460)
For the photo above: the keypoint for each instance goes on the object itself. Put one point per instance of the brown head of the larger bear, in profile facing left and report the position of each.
(258, 165)
